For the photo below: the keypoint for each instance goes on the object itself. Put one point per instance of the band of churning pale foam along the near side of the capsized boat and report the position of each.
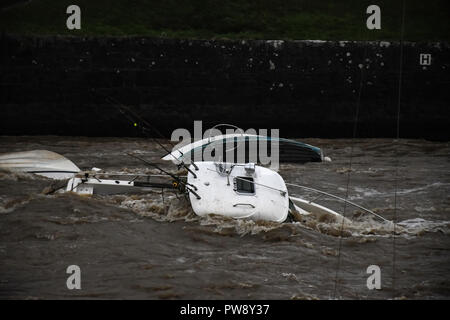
(174, 209)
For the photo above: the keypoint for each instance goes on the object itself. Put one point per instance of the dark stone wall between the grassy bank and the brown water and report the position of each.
(56, 85)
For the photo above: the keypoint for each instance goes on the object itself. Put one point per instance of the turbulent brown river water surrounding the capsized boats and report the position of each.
(141, 246)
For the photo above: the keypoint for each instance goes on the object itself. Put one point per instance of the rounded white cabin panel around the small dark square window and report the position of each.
(218, 194)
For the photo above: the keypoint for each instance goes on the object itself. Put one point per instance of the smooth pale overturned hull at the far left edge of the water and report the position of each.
(41, 162)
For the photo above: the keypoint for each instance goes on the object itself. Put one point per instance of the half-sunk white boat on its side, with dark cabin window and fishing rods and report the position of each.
(228, 189)
